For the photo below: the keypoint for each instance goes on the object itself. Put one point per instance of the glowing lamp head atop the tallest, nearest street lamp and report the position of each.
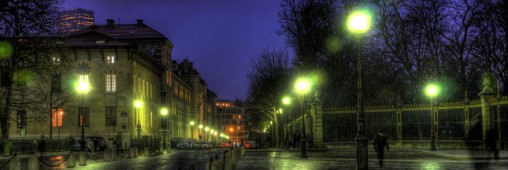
(359, 21)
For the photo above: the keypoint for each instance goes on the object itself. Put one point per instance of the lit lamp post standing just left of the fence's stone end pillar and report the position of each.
(302, 86)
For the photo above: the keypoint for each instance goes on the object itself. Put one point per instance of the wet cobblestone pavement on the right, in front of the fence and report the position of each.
(346, 160)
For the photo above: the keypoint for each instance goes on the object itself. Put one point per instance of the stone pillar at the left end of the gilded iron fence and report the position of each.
(318, 124)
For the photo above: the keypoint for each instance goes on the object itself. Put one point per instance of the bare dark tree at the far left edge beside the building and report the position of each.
(23, 25)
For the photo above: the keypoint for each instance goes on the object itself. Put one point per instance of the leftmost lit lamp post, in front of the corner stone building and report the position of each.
(83, 87)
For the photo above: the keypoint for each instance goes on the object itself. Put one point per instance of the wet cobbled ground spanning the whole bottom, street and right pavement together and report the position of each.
(280, 159)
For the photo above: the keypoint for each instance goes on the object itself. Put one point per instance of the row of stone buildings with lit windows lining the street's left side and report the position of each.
(131, 79)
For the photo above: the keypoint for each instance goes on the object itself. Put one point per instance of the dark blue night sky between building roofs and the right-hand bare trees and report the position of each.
(221, 37)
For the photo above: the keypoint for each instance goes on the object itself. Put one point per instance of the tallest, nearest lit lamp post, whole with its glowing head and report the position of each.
(358, 23)
